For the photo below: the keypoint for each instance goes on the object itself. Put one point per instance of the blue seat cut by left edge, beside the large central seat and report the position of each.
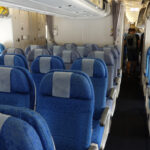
(16, 87)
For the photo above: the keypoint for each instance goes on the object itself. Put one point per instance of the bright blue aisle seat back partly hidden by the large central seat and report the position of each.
(97, 71)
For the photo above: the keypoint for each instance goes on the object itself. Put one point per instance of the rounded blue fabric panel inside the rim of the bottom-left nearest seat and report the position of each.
(17, 134)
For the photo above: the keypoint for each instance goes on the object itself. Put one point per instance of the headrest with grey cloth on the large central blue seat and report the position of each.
(65, 84)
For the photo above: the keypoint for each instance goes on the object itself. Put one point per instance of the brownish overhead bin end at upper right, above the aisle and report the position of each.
(141, 19)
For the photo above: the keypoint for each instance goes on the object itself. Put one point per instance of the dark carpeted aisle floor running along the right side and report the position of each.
(129, 129)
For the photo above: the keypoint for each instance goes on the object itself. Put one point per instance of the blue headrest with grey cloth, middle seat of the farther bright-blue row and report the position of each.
(43, 64)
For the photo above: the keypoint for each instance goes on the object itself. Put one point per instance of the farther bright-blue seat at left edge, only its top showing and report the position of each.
(13, 60)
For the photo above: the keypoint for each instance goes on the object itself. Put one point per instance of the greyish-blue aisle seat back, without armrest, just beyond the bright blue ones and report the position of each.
(109, 60)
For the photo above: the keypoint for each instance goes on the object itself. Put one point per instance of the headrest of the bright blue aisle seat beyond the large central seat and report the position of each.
(93, 67)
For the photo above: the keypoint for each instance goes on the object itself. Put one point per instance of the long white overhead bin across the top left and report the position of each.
(68, 8)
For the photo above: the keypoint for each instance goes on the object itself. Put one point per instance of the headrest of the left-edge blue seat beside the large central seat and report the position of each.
(13, 80)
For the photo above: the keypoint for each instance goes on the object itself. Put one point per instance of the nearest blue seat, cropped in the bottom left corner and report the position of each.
(23, 129)
